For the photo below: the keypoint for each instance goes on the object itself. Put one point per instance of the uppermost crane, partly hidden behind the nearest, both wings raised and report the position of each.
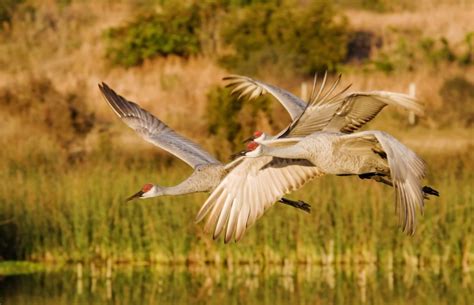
(326, 110)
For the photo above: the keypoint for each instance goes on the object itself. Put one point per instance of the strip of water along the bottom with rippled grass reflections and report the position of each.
(240, 285)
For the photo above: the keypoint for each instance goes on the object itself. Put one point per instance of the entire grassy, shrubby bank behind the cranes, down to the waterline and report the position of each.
(67, 163)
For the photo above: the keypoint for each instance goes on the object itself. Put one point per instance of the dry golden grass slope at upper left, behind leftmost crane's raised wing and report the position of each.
(71, 55)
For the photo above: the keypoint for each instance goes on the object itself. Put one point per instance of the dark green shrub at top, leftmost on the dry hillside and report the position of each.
(174, 31)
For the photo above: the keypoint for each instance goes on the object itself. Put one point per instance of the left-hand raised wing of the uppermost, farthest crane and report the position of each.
(244, 85)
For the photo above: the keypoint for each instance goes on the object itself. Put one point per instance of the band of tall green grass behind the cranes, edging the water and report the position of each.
(54, 210)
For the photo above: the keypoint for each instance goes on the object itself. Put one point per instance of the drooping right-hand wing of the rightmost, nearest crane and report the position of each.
(406, 170)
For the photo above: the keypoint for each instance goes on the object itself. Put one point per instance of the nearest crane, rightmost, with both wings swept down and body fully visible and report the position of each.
(236, 204)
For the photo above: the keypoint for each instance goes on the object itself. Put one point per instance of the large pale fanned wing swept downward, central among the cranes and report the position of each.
(249, 190)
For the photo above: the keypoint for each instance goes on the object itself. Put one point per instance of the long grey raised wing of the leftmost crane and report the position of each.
(155, 131)
